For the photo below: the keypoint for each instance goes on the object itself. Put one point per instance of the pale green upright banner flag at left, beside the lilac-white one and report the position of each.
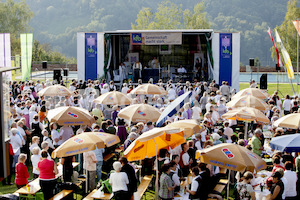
(26, 54)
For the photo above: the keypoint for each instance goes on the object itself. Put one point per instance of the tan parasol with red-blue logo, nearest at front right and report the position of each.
(232, 157)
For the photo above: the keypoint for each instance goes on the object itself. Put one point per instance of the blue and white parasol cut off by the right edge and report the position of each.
(288, 143)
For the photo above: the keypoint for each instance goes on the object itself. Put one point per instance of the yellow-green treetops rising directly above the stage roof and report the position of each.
(170, 16)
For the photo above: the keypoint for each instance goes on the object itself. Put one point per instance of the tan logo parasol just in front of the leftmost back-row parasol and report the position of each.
(66, 115)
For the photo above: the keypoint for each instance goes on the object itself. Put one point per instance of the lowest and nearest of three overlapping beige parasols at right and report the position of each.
(247, 114)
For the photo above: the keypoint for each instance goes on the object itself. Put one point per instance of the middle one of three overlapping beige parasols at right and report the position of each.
(248, 101)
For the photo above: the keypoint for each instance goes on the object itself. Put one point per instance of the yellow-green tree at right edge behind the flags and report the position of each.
(287, 30)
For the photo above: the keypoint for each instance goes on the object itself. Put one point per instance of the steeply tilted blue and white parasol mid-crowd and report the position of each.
(173, 108)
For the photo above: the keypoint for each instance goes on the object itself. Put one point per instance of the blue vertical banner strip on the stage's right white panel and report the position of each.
(225, 72)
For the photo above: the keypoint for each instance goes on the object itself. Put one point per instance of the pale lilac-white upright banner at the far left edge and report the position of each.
(5, 53)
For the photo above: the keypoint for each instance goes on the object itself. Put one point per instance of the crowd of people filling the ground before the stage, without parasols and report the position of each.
(33, 138)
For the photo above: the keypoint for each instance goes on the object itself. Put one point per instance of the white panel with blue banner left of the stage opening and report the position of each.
(90, 55)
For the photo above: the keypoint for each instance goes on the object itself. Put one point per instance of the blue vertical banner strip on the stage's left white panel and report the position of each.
(90, 56)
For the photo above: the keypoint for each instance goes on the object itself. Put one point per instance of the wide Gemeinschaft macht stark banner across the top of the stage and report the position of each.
(158, 38)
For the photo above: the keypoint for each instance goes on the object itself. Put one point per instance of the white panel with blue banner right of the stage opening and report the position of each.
(226, 55)
